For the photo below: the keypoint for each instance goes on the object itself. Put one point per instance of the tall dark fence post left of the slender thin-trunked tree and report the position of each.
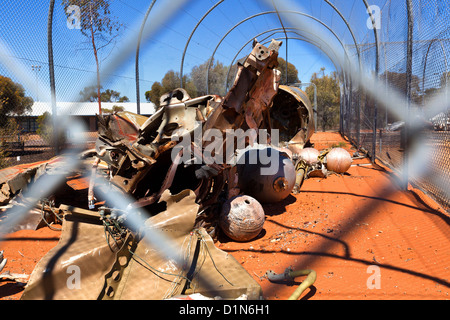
(51, 70)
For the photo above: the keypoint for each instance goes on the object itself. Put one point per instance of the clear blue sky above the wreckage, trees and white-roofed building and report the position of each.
(24, 25)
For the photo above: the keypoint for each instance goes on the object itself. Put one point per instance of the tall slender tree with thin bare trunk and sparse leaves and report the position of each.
(97, 25)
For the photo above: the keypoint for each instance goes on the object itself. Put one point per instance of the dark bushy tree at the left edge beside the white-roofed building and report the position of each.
(13, 100)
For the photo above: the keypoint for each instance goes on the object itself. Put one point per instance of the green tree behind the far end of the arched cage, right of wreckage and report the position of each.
(328, 98)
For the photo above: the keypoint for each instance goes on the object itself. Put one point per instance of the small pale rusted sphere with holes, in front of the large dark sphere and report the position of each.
(242, 218)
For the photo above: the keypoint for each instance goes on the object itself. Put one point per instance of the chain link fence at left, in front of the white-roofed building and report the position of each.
(47, 51)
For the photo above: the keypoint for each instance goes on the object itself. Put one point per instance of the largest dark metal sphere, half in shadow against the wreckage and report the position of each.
(266, 174)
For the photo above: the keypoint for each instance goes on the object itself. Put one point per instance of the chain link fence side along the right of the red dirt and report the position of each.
(426, 77)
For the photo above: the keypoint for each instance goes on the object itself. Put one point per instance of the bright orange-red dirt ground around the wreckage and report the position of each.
(347, 228)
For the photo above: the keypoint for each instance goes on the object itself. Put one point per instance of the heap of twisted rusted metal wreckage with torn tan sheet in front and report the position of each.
(181, 190)
